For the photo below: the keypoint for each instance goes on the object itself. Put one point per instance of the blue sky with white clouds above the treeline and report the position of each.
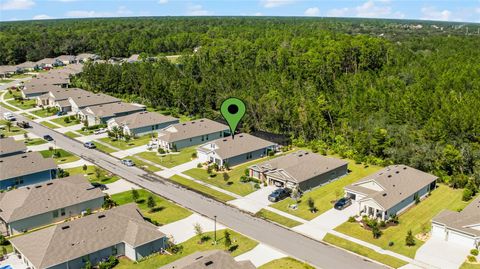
(444, 10)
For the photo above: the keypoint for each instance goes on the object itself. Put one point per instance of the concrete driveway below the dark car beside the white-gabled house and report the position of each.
(319, 226)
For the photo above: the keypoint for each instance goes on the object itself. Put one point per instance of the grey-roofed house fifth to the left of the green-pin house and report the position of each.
(58, 97)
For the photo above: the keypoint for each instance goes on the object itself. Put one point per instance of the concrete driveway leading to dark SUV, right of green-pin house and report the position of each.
(255, 201)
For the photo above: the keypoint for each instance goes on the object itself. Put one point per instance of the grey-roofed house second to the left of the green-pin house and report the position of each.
(141, 123)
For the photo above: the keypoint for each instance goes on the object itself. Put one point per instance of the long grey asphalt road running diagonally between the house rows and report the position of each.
(292, 243)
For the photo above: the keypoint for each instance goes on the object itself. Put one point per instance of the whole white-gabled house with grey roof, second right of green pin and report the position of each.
(390, 191)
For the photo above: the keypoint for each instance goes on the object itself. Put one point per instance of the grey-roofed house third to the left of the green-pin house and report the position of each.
(100, 114)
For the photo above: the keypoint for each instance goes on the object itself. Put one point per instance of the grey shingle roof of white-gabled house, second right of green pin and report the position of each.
(398, 183)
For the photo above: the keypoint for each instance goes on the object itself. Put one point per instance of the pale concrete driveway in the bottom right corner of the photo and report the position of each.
(442, 254)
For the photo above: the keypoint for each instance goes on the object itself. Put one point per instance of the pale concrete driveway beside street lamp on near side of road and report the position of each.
(182, 230)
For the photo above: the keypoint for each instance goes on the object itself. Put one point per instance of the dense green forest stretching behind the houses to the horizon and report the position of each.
(376, 91)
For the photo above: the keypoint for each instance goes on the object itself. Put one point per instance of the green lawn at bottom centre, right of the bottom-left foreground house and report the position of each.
(242, 243)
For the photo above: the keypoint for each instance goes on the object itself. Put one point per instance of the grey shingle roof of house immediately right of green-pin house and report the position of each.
(299, 166)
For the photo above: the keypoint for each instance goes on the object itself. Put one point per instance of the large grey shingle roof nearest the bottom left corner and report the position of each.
(70, 240)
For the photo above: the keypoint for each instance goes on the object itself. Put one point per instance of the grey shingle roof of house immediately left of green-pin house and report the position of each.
(189, 129)
